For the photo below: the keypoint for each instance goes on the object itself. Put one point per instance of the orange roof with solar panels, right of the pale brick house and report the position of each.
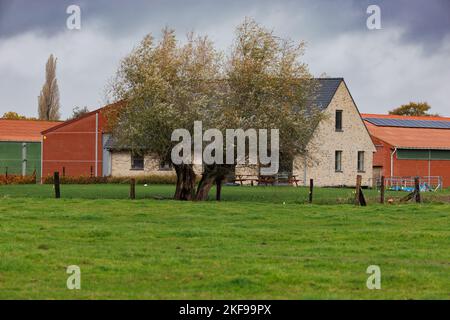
(410, 138)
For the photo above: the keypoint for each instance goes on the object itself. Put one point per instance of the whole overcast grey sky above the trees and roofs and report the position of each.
(407, 60)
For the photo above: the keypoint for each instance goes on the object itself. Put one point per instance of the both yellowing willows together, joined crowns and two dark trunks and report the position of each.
(260, 84)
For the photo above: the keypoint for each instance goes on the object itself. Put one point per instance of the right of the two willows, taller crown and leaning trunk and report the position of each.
(266, 86)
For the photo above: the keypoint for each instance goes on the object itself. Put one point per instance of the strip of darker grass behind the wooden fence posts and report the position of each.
(255, 194)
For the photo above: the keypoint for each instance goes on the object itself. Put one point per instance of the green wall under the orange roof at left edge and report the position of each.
(11, 158)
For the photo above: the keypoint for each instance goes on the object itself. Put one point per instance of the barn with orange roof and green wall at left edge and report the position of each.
(20, 146)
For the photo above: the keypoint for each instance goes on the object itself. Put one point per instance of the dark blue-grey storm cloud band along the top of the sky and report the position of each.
(424, 22)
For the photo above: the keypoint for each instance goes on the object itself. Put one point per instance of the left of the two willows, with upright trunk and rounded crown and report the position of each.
(166, 86)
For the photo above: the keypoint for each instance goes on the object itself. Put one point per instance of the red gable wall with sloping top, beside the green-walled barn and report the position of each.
(72, 147)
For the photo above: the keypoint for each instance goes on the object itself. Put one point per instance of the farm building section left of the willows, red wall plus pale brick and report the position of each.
(82, 147)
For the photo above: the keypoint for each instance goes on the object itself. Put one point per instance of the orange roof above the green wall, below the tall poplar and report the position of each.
(24, 130)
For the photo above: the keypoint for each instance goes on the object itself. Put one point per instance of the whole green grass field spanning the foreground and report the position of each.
(249, 246)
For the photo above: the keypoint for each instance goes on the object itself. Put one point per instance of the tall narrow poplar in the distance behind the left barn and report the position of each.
(48, 100)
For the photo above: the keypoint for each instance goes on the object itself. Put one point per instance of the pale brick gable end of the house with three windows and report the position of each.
(341, 147)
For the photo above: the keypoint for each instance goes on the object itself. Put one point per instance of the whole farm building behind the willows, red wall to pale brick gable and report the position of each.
(341, 147)
